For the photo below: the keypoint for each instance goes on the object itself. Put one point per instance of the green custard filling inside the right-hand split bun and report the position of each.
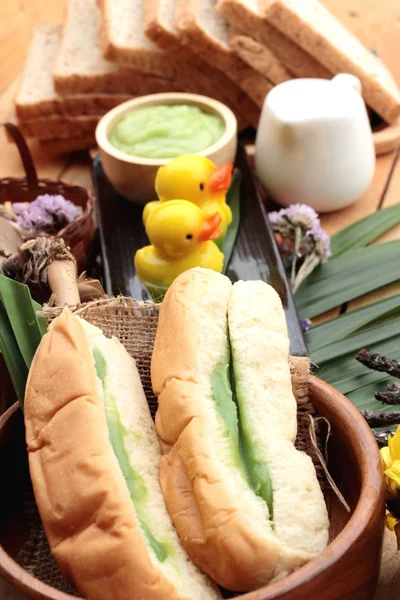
(247, 457)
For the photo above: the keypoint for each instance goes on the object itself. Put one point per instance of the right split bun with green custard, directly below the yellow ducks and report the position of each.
(216, 502)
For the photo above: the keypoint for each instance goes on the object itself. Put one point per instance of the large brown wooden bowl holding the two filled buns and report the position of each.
(347, 570)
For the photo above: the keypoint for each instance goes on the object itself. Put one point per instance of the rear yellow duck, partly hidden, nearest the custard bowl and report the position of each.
(197, 179)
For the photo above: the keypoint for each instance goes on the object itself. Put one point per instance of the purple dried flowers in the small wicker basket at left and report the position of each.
(46, 214)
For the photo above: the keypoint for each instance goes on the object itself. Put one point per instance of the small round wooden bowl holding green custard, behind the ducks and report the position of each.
(134, 176)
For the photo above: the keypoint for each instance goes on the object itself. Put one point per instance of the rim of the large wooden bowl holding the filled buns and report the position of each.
(368, 504)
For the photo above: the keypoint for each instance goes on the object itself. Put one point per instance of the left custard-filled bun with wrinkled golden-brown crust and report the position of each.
(112, 541)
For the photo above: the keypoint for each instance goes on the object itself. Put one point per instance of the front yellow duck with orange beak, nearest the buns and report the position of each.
(181, 237)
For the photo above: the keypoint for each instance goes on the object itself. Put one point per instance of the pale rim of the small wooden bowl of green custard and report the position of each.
(115, 114)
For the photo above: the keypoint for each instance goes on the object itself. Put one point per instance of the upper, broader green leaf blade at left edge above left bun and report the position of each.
(22, 317)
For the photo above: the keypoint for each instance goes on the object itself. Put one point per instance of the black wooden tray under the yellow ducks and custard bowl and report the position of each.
(255, 255)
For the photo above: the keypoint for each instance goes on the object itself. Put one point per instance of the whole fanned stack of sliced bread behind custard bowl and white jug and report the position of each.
(232, 50)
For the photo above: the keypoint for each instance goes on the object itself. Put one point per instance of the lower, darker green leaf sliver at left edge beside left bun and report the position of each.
(12, 356)
